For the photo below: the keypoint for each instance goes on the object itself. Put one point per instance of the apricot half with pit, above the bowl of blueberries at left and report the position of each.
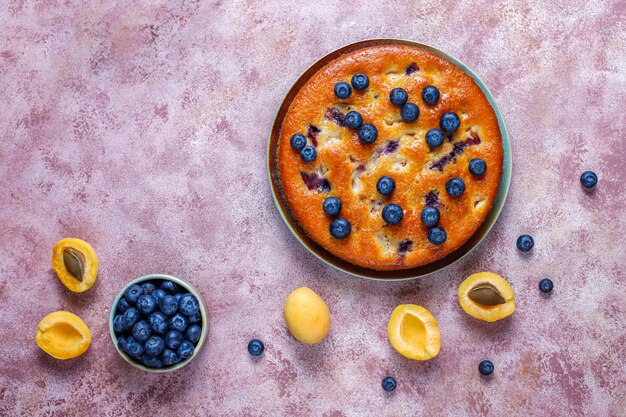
(76, 263)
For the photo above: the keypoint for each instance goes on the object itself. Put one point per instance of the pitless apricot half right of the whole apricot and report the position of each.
(414, 332)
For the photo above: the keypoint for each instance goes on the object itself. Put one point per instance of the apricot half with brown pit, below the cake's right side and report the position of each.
(486, 296)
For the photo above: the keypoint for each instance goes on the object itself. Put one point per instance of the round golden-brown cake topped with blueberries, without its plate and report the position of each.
(390, 157)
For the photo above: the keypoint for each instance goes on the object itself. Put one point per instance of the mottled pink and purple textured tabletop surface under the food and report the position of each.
(143, 130)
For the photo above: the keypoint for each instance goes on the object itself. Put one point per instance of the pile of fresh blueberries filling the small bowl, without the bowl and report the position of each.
(158, 323)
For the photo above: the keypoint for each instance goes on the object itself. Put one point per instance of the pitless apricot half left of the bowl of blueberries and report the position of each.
(63, 335)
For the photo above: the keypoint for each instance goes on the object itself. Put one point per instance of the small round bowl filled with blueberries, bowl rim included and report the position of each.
(158, 323)
